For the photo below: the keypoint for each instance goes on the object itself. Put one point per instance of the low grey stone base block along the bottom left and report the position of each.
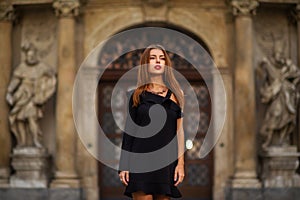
(41, 193)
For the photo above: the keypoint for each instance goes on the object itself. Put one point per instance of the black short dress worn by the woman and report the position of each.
(160, 181)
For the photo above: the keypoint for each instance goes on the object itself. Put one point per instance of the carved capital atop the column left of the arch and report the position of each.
(66, 8)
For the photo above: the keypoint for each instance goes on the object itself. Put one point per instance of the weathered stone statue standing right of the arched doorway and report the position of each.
(279, 92)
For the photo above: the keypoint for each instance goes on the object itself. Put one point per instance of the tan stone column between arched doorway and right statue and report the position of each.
(245, 175)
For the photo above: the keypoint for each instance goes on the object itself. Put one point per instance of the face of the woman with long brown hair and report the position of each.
(157, 62)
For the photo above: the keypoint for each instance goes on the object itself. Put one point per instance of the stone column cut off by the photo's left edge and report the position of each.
(6, 18)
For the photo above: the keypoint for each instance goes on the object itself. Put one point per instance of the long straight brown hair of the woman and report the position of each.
(143, 80)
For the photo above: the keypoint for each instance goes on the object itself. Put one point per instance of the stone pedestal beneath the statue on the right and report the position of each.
(279, 165)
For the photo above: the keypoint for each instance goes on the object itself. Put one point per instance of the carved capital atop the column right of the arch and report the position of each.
(244, 7)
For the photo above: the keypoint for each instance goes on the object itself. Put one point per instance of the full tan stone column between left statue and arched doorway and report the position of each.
(65, 175)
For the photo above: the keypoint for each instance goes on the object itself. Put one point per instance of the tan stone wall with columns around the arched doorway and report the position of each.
(223, 26)
